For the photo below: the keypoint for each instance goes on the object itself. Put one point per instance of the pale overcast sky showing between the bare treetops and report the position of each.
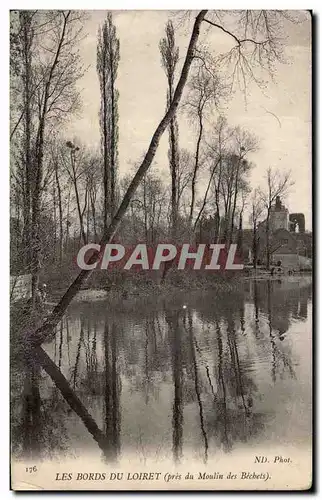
(285, 139)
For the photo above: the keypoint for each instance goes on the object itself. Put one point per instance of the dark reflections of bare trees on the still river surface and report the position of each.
(208, 361)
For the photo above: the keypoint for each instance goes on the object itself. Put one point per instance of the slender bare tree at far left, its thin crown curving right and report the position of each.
(60, 69)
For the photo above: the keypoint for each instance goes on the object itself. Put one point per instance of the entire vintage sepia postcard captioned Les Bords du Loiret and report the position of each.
(160, 250)
